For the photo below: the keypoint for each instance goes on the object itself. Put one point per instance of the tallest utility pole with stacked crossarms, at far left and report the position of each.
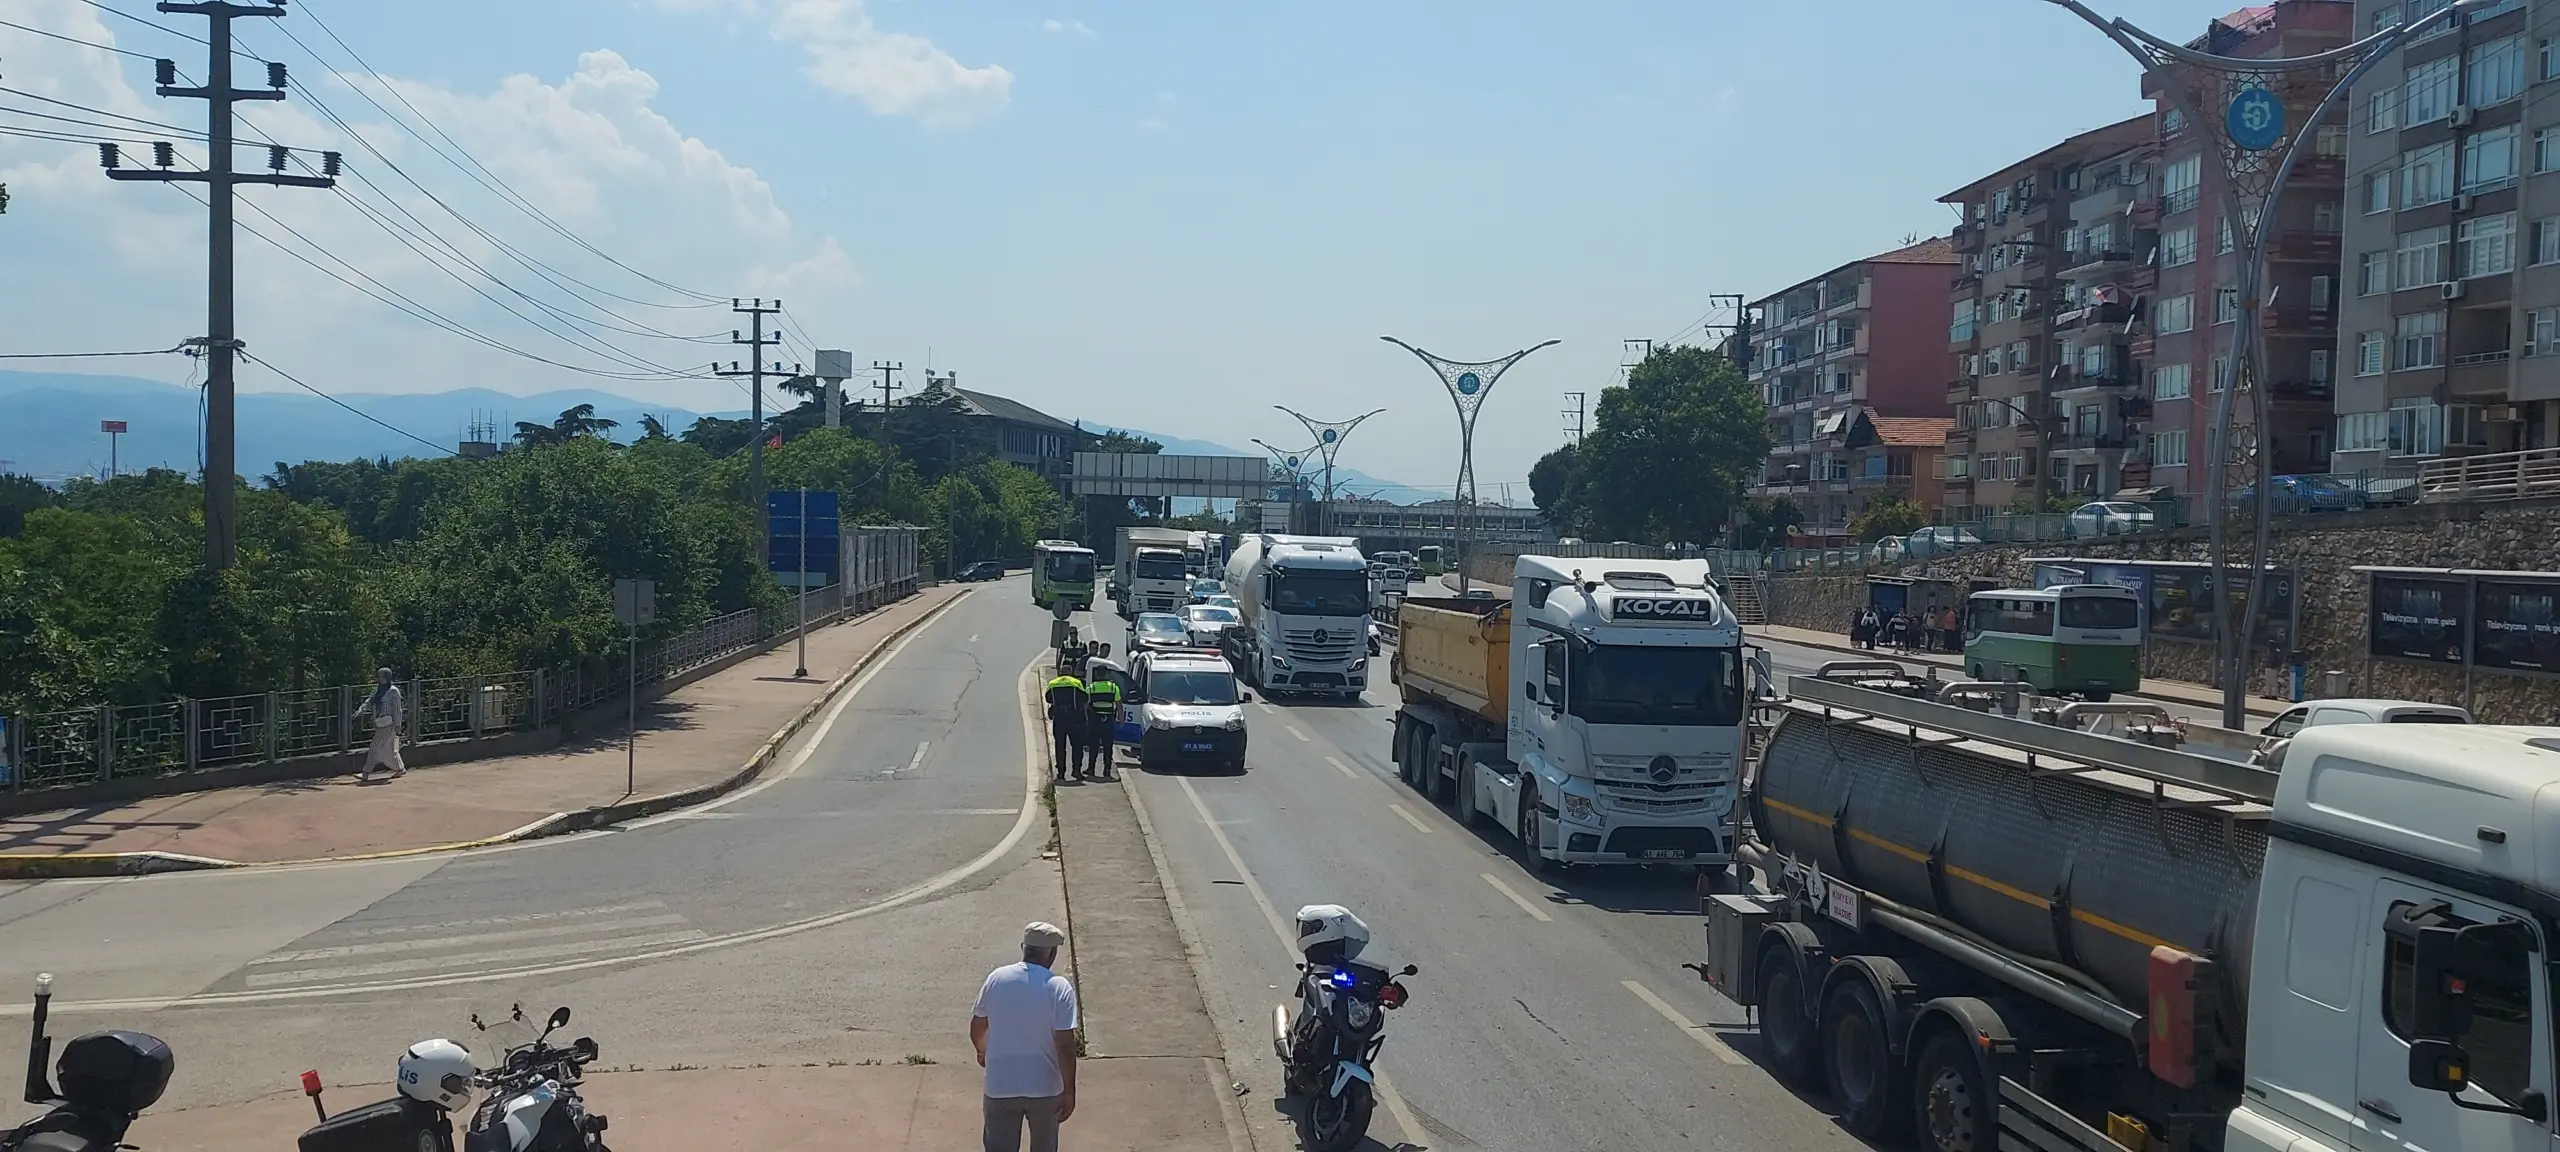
(221, 339)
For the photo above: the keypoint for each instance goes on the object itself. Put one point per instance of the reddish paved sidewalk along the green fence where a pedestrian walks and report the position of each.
(705, 736)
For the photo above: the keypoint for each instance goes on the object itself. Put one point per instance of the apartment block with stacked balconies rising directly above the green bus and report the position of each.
(2052, 265)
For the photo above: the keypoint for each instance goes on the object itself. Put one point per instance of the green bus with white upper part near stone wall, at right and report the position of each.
(2072, 639)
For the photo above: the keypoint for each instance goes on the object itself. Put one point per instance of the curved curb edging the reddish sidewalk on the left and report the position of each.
(76, 867)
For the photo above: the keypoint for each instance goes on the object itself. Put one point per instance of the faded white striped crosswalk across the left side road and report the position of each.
(357, 951)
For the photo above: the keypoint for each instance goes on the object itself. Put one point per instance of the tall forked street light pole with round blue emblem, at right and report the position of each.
(2244, 140)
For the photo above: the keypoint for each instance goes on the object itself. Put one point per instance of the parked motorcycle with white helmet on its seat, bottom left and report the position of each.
(534, 1100)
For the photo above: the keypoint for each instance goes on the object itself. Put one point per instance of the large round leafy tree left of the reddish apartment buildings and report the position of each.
(1670, 452)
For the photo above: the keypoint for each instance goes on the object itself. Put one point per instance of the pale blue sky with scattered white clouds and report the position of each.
(1169, 214)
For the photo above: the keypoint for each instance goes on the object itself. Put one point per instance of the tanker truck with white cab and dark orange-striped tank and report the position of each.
(1993, 933)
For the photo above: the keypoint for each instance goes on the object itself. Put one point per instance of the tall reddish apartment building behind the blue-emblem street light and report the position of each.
(2193, 311)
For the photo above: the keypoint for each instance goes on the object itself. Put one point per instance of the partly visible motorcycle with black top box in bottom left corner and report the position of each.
(106, 1082)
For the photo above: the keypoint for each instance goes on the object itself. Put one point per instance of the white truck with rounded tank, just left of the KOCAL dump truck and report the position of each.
(1307, 613)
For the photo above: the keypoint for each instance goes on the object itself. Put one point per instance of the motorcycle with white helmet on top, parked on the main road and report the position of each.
(1330, 1043)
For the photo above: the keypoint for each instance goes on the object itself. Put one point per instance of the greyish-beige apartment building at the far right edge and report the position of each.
(2451, 334)
